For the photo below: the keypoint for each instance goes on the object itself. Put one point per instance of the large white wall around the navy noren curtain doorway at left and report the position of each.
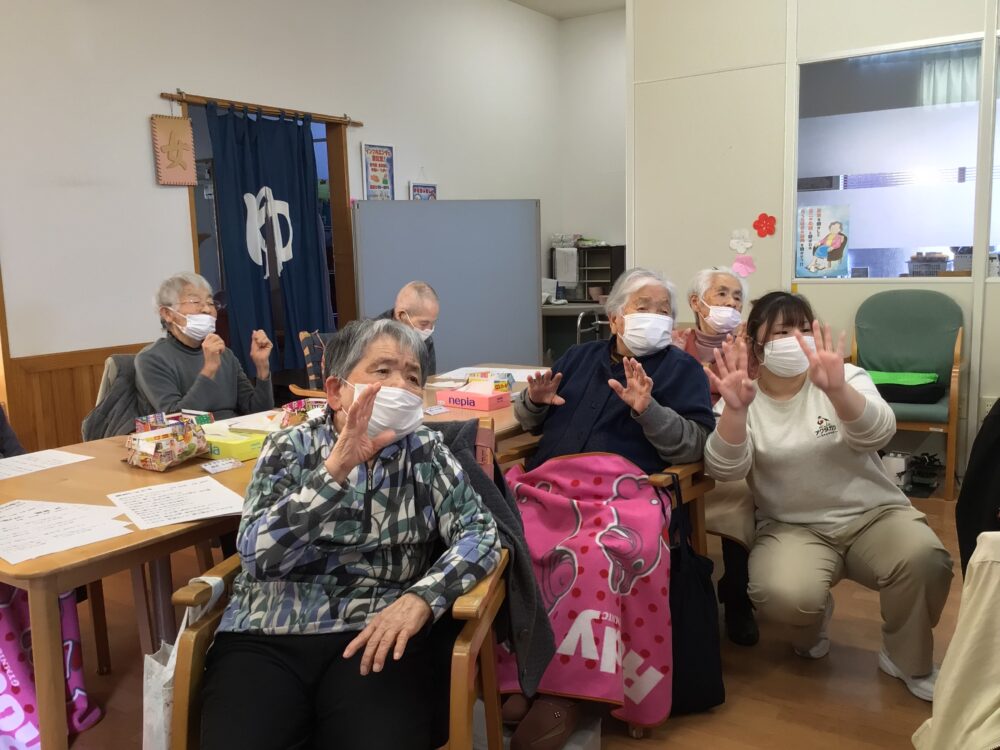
(466, 89)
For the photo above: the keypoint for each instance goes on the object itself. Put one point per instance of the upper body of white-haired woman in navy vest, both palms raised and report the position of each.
(634, 395)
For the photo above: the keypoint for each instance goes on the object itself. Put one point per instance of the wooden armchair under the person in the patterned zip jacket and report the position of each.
(473, 661)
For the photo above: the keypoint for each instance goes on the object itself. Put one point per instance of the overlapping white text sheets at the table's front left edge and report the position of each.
(32, 528)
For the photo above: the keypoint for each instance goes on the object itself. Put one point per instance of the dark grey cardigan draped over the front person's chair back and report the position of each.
(522, 622)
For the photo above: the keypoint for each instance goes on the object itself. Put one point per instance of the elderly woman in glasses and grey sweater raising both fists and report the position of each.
(190, 367)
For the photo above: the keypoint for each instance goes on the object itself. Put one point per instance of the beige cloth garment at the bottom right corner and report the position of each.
(967, 694)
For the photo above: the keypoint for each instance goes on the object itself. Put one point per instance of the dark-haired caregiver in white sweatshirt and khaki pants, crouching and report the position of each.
(804, 434)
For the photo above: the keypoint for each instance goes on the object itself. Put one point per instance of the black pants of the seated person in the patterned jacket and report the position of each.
(292, 692)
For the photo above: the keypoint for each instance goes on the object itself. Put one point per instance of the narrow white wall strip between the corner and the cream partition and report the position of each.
(590, 125)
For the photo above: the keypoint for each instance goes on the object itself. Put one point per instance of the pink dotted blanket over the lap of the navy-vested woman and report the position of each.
(595, 529)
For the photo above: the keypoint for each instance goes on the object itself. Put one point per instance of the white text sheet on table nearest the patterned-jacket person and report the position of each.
(178, 502)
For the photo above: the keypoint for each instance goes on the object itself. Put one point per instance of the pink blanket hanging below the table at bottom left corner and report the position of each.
(18, 706)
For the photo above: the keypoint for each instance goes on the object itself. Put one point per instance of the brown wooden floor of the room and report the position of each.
(775, 700)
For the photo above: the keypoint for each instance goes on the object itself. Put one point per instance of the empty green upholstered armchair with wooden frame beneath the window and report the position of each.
(916, 330)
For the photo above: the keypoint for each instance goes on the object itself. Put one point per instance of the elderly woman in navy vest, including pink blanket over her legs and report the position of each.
(633, 405)
